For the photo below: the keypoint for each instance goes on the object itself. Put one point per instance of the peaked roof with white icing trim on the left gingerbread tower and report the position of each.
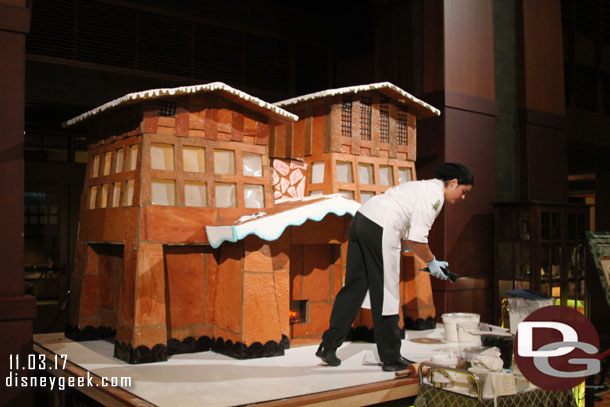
(232, 94)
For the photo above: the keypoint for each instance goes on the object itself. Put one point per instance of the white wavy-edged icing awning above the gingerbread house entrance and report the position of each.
(271, 227)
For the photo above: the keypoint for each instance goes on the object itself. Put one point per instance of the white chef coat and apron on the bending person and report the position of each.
(405, 212)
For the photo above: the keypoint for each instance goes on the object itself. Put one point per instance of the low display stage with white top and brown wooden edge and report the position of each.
(296, 379)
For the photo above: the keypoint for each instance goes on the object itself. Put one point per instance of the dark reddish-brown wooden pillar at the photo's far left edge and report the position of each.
(17, 312)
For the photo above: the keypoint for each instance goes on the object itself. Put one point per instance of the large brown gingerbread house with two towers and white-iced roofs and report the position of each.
(204, 224)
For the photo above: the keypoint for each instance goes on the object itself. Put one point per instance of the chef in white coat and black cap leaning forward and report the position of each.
(396, 220)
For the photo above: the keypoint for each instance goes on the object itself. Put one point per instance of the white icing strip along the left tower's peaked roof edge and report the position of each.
(157, 93)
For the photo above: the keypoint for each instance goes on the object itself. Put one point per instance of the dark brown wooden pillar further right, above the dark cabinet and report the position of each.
(544, 157)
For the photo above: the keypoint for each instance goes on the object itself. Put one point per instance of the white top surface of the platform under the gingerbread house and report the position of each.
(211, 379)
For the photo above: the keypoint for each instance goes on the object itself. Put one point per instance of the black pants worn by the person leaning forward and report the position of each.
(364, 271)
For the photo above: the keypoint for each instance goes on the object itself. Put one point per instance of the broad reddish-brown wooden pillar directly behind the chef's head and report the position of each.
(458, 77)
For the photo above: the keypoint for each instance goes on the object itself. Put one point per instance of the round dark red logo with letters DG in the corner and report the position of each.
(557, 348)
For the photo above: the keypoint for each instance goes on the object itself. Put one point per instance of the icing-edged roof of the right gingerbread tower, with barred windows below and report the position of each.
(419, 107)
